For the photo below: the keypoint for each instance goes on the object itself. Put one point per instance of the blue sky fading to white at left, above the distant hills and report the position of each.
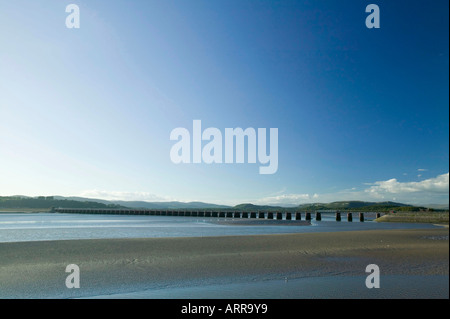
(362, 114)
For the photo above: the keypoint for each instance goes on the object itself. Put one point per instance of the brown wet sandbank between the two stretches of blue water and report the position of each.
(37, 269)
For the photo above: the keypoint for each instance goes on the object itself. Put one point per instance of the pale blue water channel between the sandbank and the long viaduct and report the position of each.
(46, 226)
